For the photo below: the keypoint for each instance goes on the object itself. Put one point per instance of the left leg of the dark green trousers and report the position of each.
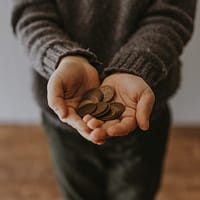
(79, 169)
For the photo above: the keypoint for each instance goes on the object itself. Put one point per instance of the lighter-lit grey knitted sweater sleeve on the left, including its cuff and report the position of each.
(37, 25)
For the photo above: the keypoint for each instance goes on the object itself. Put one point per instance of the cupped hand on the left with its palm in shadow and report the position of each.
(72, 78)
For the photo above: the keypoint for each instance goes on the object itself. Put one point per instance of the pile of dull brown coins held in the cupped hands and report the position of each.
(99, 103)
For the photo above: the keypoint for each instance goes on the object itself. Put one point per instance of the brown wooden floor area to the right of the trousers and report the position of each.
(181, 179)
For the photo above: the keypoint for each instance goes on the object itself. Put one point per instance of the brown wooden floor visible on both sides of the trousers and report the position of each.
(26, 172)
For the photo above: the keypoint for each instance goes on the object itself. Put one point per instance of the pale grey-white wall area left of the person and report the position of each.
(16, 101)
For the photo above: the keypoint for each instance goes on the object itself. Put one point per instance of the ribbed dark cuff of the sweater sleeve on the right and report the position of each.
(141, 63)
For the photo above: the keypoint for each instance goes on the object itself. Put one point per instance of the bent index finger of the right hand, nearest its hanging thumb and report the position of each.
(124, 127)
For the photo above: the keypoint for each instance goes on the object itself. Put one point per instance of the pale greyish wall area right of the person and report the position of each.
(186, 103)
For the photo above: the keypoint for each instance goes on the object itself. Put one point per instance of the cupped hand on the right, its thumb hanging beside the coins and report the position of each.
(138, 98)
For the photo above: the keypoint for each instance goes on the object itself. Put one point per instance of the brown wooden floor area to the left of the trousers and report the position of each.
(25, 168)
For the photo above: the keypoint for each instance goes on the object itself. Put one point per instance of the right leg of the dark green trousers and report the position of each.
(136, 162)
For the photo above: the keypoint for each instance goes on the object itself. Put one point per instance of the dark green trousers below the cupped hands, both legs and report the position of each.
(124, 168)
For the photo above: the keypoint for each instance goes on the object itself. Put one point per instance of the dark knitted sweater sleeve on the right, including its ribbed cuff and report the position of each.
(158, 42)
